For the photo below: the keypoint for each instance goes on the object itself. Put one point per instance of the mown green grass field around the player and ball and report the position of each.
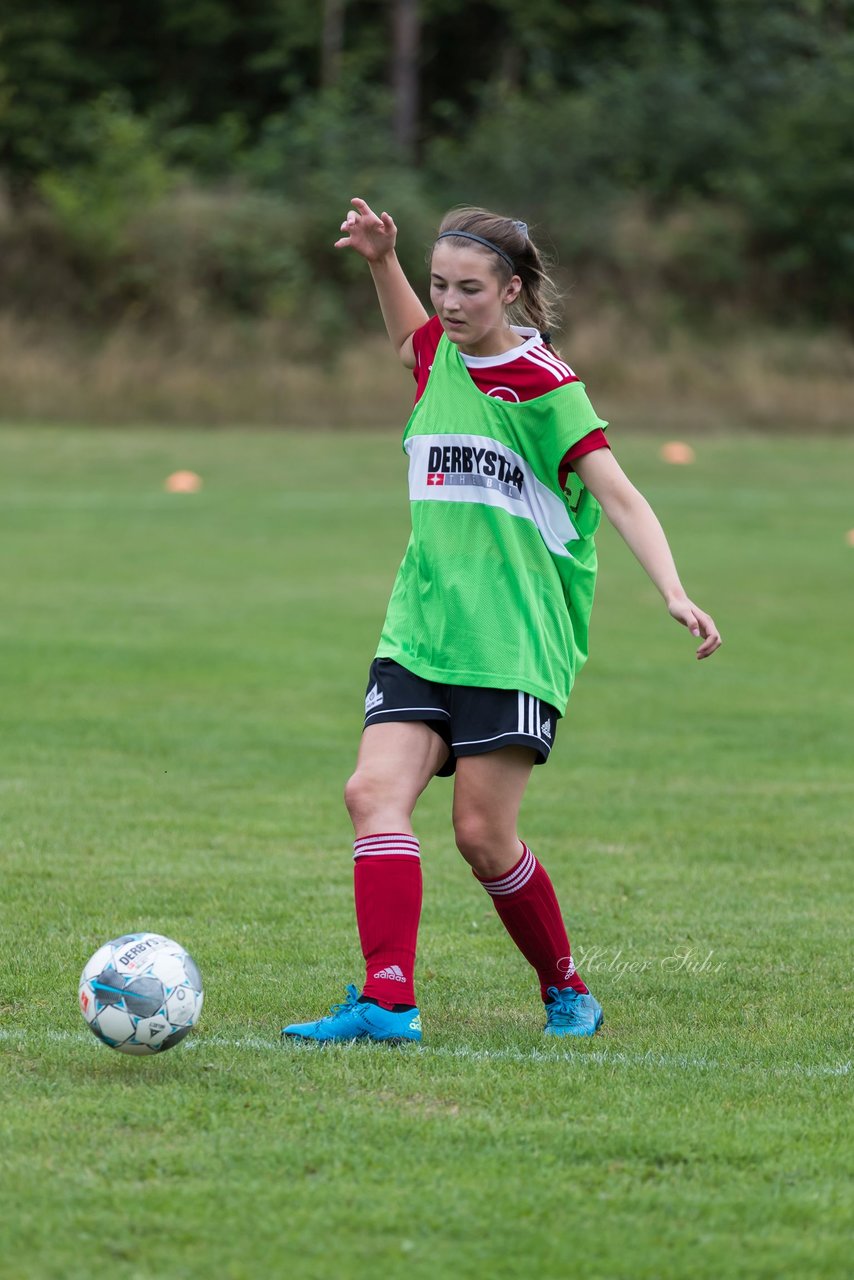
(181, 689)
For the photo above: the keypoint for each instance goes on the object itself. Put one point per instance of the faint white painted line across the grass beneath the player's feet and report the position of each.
(583, 1057)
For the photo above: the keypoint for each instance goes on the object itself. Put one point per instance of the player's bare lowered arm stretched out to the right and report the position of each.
(638, 525)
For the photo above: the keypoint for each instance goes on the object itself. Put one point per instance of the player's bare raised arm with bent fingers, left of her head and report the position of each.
(375, 236)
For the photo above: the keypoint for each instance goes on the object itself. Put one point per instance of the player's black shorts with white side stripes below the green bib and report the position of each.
(469, 720)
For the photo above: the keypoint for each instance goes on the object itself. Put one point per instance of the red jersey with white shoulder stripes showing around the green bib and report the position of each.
(522, 374)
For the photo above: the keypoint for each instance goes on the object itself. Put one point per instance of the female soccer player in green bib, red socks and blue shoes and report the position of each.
(488, 620)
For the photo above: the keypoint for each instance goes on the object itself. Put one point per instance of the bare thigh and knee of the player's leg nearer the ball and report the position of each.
(395, 765)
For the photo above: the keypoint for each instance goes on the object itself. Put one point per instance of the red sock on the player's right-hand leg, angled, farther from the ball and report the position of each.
(529, 911)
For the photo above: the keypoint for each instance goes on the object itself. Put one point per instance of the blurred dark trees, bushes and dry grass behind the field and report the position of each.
(172, 179)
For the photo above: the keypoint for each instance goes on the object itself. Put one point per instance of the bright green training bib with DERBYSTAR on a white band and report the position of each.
(496, 587)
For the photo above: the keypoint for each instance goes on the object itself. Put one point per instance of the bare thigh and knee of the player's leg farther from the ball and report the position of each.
(487, 797)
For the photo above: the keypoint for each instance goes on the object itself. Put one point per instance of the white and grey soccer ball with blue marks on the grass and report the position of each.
(141, 994)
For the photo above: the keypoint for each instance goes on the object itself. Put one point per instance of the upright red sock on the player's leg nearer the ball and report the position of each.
(387, 881)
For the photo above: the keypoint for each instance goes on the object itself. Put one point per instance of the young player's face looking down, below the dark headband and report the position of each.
(472, 301)
